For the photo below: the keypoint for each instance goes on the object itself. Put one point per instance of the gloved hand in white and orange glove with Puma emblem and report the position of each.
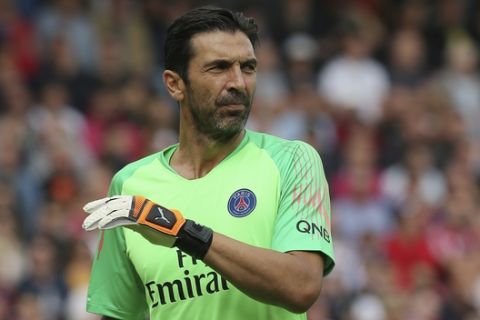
(130, 211)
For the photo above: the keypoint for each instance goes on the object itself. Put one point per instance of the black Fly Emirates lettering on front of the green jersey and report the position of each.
(188, 287)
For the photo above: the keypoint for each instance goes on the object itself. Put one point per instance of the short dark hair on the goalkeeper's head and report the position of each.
(178, 49)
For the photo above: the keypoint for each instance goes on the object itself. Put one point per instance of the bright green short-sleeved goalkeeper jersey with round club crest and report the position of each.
(268, 192)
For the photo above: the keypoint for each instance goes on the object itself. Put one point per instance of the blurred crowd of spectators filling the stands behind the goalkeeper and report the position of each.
(388, 92)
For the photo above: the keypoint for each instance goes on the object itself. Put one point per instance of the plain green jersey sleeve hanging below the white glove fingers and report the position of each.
(115, 289)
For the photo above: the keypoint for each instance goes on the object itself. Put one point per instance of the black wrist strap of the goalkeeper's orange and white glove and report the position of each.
(194, 239)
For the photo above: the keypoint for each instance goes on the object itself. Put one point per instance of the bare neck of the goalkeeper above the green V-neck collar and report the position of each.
(198, 154)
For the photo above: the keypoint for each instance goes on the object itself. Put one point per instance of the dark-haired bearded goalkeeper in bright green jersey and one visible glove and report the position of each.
(263, 243)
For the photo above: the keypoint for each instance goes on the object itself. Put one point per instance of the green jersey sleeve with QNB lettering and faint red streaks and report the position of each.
(303, 218)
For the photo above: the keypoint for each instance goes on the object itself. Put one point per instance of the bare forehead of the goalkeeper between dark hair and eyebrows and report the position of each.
(213, 45)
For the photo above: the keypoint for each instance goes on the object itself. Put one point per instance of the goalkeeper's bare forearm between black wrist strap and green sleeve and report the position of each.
(290, 280)
